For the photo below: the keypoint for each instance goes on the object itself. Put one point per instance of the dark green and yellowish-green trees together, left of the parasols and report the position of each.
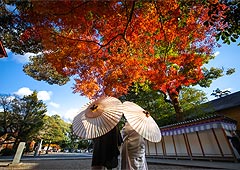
(24, 119)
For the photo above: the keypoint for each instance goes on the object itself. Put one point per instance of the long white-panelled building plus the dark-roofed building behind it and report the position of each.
(203, 138)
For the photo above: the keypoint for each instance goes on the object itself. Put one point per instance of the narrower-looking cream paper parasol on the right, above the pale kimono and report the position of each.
(141, 121)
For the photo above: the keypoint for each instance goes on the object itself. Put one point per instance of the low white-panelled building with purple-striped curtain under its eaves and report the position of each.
(204, 138)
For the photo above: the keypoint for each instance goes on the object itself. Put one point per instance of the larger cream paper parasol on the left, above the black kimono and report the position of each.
(97, 118)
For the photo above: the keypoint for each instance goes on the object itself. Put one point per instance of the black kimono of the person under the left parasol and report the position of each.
(105, 149)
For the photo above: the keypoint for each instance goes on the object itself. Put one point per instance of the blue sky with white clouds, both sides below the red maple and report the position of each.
(60, 99)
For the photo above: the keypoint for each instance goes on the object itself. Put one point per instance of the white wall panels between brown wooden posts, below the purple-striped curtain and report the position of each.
(207, 139)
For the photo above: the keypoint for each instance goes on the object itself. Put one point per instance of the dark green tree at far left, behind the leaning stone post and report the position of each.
(23, 118)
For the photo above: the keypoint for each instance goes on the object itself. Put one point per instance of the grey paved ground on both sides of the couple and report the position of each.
(85, 164)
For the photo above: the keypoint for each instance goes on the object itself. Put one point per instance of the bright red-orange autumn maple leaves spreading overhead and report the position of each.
(108, 45)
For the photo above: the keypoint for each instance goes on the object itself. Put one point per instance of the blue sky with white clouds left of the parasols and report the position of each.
(59, 99)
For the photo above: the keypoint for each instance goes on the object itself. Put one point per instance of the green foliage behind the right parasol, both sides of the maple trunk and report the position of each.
(161, 109)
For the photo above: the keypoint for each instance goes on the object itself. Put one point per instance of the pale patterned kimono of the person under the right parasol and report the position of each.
(133, 150)
